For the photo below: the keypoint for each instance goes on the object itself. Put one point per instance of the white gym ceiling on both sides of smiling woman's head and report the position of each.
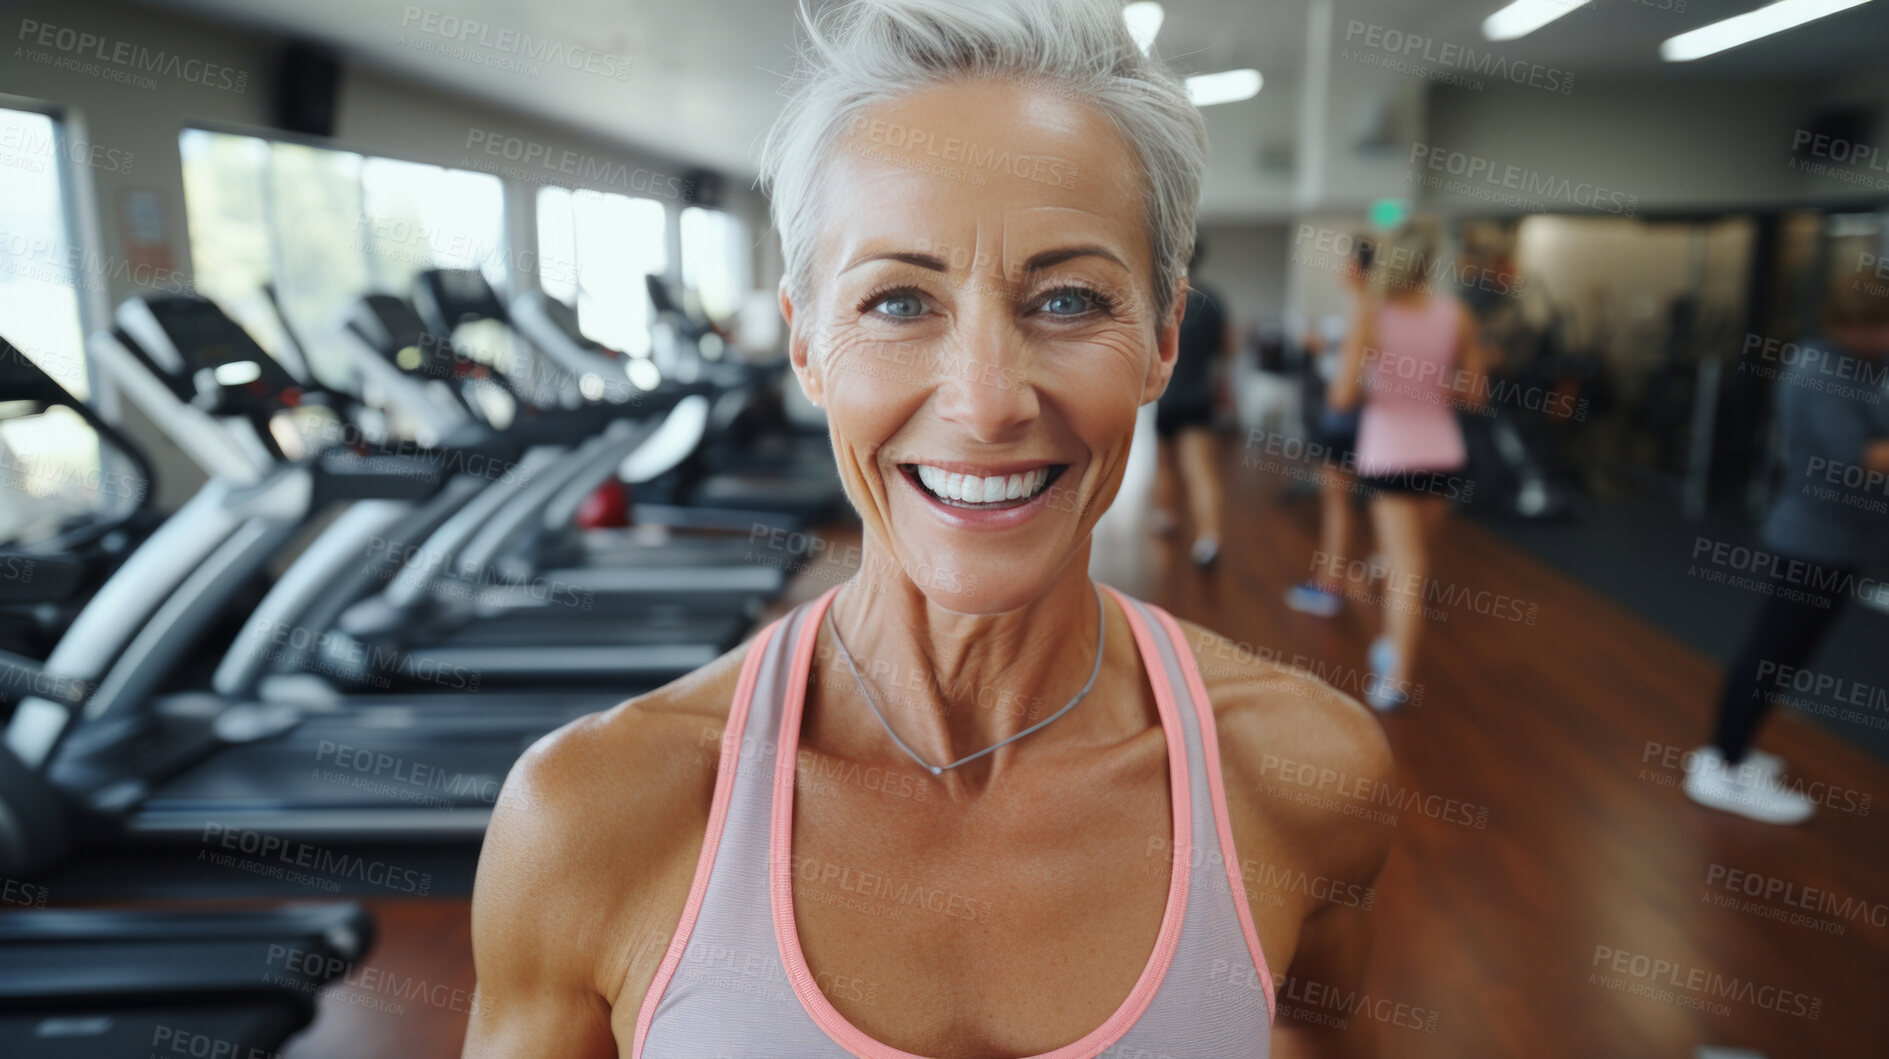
(706, 73)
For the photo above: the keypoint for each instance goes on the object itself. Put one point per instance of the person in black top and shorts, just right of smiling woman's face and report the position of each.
(1183, 420)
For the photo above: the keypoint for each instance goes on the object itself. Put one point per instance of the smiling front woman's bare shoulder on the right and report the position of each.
(1284, 733)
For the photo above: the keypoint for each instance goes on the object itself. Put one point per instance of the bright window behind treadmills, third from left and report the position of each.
(594, 252)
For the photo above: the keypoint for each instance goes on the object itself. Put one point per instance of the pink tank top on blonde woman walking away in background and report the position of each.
(1412, 392)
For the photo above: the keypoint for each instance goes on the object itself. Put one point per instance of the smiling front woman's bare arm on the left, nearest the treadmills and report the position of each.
(585, 875)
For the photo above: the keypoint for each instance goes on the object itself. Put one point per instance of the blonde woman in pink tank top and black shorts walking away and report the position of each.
(1414, 361)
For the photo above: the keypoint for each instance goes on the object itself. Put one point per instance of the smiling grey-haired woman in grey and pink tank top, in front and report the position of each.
(966, 805)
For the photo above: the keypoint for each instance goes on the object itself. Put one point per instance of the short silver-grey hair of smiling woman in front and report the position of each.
(866, 52)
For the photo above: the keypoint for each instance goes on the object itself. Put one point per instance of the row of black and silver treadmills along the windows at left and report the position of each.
(386, 569)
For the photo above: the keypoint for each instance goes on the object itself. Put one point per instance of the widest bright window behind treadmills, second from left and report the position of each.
(326, 227)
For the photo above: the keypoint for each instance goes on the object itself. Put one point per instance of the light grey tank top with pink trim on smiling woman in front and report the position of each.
(736, 983)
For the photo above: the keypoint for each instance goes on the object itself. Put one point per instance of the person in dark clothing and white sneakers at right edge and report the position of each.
(1835, 441)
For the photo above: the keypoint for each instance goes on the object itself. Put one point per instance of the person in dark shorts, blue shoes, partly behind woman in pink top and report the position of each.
(1336, 431)
